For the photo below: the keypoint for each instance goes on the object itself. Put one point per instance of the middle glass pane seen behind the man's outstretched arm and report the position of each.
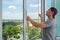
(33, 9)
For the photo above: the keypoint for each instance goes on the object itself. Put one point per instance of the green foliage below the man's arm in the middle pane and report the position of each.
(34, 33)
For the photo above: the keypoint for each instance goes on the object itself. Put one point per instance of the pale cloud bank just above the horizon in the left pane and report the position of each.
(9, 15)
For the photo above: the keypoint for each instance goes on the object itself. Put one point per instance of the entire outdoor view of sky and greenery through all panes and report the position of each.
(12, 16)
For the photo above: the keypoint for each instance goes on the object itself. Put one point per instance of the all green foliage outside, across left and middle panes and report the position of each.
(11, 28)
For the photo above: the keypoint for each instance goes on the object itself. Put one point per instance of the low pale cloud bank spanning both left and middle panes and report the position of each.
(9, 15)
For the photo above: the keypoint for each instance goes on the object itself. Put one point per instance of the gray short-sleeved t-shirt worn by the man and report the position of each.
(49, 33)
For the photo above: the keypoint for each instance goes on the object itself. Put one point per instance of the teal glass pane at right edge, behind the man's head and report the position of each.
(57, 5)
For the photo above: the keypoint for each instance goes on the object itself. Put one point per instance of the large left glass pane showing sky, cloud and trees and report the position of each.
(12, 16)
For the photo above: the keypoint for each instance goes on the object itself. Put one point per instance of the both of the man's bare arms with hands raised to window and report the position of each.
(41, 25)
